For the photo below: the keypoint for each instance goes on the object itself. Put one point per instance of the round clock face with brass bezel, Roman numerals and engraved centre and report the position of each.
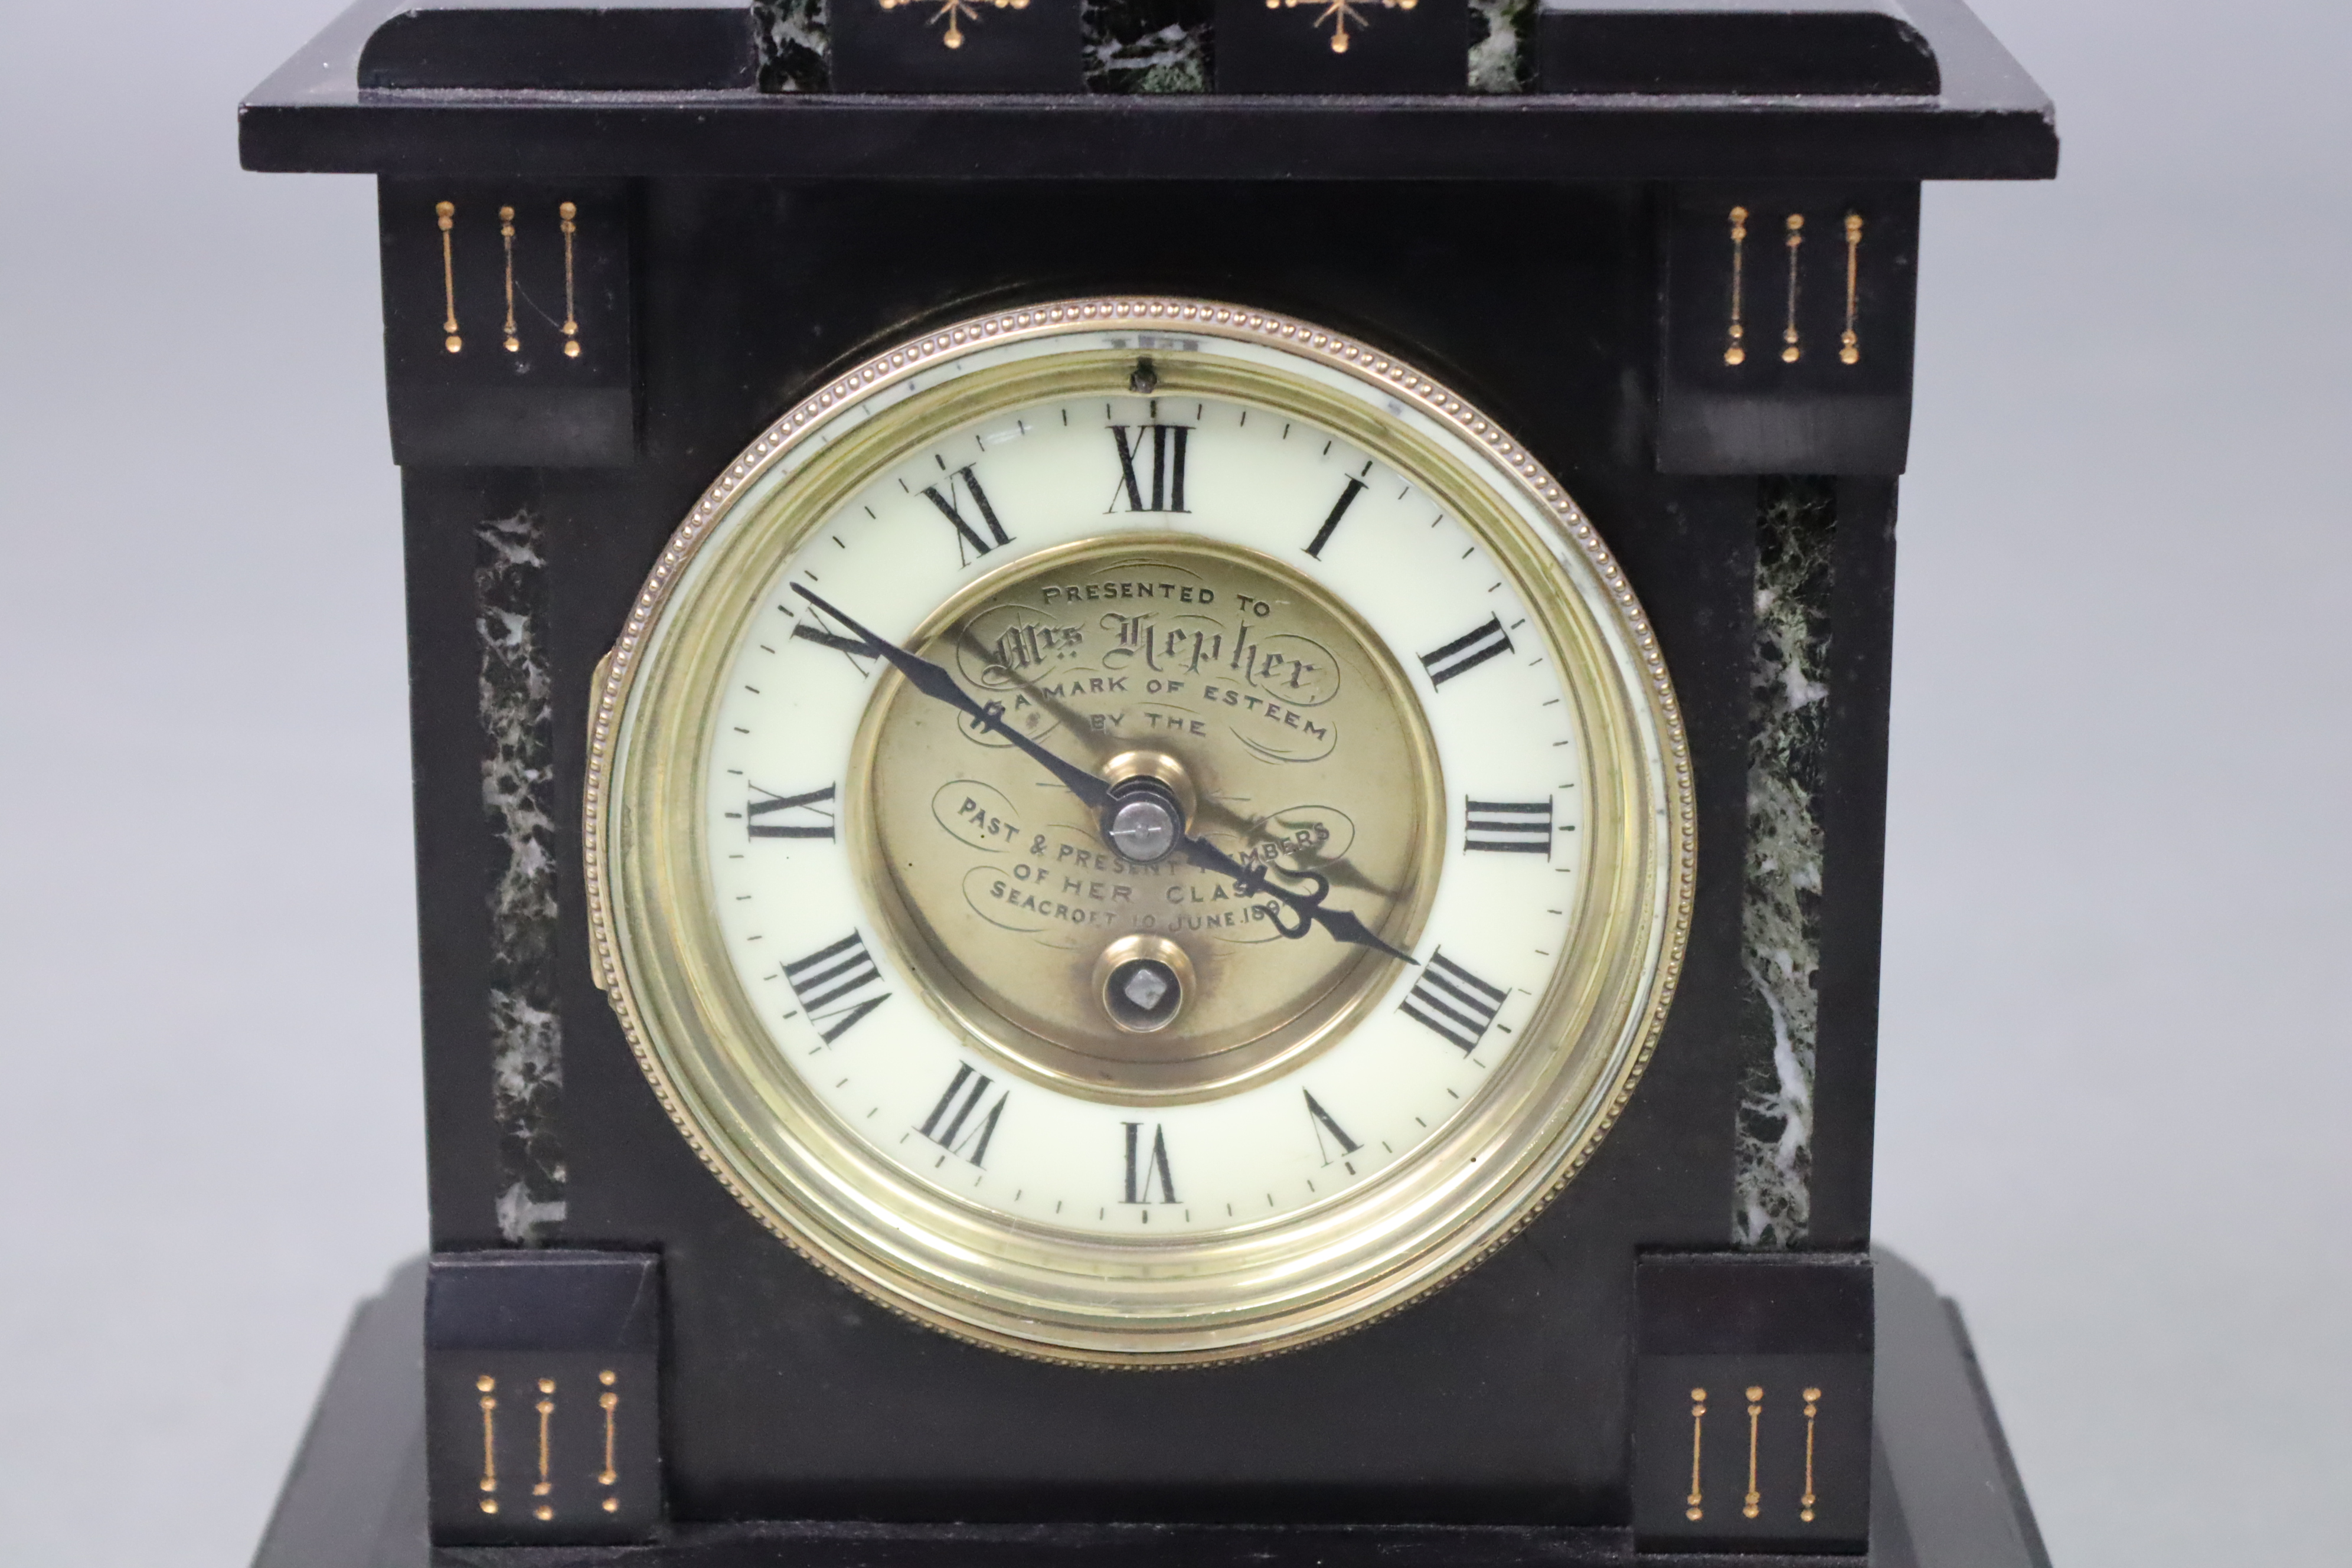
(1140, 833)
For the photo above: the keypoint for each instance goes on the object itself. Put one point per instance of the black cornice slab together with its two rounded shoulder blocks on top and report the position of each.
(1751, 98)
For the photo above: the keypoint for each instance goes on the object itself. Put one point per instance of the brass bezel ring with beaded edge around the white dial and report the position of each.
(1165, 1301)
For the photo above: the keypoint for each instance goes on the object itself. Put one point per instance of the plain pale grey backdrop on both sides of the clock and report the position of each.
(2120, 897)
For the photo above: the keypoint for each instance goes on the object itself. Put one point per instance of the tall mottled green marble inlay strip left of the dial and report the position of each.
(519, 798)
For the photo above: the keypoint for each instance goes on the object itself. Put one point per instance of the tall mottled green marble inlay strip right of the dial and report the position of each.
(1789, 723)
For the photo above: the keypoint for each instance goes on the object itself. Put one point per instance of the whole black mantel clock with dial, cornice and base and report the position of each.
(1149, 775)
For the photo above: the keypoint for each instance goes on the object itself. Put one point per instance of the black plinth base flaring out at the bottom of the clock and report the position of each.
(1946, 1492)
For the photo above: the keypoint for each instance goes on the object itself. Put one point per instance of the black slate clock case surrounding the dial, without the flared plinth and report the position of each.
(679, 257)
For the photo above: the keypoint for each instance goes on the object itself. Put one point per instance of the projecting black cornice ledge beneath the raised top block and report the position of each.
(1989, 121)
